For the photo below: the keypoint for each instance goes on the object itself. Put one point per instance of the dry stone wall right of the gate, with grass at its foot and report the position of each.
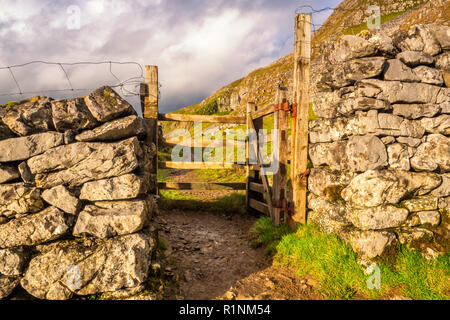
(380, 146)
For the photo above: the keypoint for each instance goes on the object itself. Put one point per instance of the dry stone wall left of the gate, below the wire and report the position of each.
(76, 196)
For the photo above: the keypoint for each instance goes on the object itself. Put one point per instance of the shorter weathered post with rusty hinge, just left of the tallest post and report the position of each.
(280, 180)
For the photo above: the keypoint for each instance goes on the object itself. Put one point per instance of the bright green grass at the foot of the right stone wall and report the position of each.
(334, 265)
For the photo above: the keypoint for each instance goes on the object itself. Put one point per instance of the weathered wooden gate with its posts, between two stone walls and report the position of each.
(281, 202)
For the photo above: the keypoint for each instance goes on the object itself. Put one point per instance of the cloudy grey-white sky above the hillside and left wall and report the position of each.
(199, 45)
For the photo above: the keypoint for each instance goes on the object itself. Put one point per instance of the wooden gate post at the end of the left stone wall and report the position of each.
(149, 105)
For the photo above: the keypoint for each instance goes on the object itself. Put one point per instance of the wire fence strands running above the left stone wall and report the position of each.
(123, 85)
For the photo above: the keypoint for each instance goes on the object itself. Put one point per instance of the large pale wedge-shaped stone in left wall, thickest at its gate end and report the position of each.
(109, 160)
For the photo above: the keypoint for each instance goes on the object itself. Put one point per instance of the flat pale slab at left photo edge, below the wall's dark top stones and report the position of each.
(16, 149)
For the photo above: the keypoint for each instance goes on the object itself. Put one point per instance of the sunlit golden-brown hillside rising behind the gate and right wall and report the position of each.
(348, 18)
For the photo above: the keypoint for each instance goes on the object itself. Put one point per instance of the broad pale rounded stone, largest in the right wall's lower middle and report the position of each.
(375, 188)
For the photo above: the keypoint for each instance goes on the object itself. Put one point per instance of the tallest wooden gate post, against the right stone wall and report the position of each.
(302, 61)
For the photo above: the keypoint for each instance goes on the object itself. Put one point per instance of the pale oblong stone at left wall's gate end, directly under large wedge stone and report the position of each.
(128, 186)
